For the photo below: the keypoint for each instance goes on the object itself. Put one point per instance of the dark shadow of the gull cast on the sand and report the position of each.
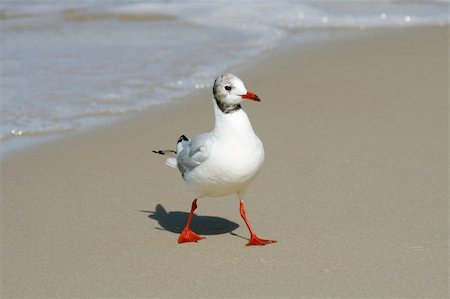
(204, 225)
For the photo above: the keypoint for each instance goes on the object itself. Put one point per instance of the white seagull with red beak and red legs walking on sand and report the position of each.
(225, 160)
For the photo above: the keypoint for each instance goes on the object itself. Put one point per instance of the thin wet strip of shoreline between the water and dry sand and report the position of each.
(16, 145)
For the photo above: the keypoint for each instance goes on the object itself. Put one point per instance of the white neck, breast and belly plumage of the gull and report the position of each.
(233, 152)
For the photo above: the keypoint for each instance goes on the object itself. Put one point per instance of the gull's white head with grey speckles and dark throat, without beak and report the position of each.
(228, 90)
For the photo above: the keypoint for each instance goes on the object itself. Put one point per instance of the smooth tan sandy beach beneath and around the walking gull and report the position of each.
(354, 188)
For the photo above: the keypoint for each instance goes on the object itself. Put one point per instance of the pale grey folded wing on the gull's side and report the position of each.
(191, 153)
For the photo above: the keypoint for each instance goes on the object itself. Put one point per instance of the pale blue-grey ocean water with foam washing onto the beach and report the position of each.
(67, 65)
